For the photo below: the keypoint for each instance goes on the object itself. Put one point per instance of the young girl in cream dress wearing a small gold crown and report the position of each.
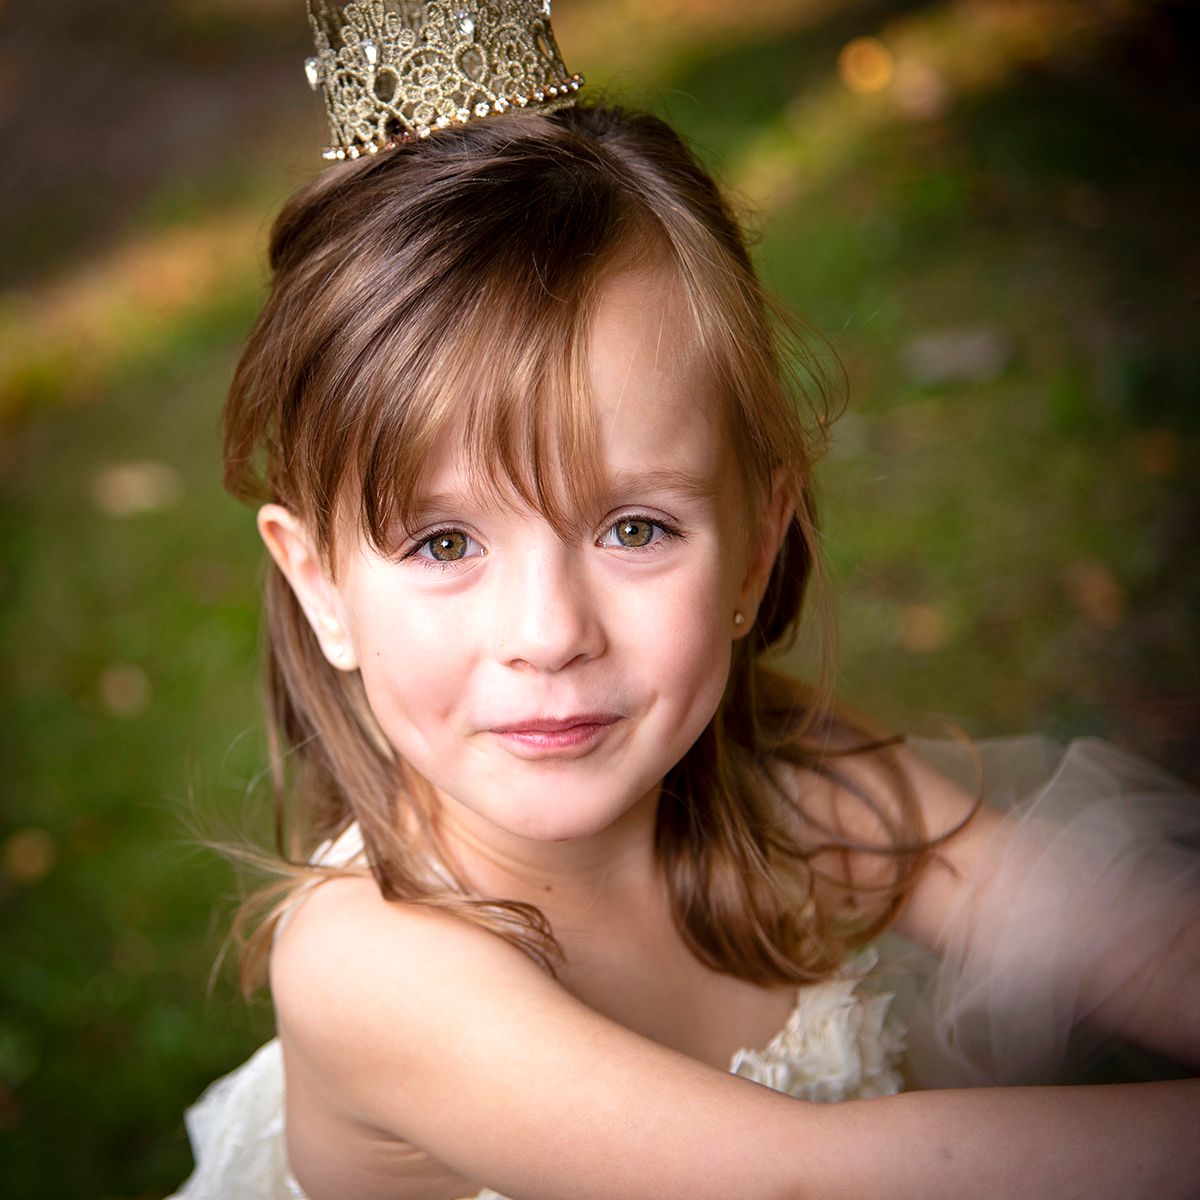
(579, 886)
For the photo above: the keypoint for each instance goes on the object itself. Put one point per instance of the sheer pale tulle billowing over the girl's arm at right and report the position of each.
(1096, 878)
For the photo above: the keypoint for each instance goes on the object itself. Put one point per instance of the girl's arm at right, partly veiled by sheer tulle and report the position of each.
(1135, 956)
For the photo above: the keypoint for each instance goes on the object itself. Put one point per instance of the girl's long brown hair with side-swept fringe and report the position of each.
(455, 281)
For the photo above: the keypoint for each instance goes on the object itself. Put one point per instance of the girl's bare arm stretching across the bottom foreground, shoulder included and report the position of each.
(409, 1024)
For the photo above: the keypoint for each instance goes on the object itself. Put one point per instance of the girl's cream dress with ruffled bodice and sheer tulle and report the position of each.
(1099, 875)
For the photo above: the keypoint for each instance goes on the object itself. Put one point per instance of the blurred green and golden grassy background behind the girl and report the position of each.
(986, 207)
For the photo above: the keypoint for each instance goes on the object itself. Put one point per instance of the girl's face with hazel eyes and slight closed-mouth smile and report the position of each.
(547, 686)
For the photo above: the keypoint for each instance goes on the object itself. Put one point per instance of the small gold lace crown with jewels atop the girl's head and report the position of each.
(394, 70)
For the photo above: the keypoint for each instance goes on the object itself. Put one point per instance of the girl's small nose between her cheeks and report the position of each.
(549, 615)
